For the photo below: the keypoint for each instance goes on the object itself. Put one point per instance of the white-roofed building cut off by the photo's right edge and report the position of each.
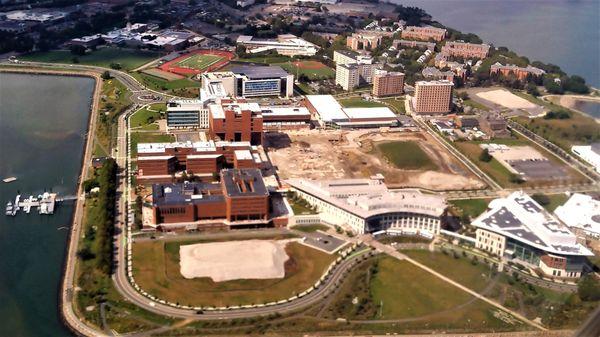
(581, 213)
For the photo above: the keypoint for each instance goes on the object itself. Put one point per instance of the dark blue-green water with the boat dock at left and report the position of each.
(43, 121)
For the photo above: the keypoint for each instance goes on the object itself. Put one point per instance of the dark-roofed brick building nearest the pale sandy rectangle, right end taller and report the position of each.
(240, 199)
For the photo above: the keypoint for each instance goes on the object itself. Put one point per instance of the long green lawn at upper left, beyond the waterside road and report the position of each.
(128, 58)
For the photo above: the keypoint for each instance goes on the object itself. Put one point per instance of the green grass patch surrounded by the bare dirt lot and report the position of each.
(406, 155)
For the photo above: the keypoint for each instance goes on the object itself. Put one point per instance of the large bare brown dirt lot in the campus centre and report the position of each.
(352, 154)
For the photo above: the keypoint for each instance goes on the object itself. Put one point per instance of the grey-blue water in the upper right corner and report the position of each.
(566, 33)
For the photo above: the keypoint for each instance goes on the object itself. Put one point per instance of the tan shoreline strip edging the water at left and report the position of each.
(67, 314)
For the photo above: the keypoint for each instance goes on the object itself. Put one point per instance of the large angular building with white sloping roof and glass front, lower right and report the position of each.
(519, 229)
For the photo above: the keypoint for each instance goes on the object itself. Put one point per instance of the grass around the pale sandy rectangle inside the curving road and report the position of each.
(164, 280)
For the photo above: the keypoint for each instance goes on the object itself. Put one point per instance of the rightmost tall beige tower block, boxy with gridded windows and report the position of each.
(433, 97)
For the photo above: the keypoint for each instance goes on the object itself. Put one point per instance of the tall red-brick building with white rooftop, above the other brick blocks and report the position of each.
(235, 121)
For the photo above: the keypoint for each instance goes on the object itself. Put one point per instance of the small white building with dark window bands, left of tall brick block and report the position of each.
(187, 114)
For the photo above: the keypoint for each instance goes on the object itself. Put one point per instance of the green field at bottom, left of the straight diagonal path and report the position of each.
(386, 288)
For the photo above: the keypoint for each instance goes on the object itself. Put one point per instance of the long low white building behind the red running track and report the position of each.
(285, 44)
